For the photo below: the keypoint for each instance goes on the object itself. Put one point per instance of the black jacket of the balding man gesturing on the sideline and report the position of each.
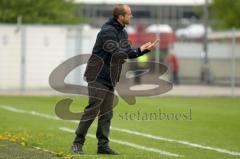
(109, 53)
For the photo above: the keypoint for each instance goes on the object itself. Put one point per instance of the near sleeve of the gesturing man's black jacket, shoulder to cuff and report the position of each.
(111, 45)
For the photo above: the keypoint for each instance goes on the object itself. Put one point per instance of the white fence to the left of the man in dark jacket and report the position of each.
(28, 54)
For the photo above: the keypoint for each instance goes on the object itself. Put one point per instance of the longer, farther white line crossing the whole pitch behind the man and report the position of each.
(220, 150)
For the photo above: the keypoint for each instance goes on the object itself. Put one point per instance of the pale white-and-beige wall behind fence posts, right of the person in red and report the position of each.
(220, 58)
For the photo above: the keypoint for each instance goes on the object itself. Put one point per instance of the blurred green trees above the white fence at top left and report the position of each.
(40, 11)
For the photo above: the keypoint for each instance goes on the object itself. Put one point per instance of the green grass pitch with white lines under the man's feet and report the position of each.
(211, 123)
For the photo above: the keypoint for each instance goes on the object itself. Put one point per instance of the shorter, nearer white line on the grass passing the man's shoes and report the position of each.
(129, 144)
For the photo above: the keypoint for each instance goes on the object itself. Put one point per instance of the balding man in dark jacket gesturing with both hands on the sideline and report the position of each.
(102, 74)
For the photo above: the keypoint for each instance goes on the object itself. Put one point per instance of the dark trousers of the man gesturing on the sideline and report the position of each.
(97, 107)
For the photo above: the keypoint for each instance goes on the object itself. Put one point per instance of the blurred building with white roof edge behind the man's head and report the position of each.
(176, 13)
